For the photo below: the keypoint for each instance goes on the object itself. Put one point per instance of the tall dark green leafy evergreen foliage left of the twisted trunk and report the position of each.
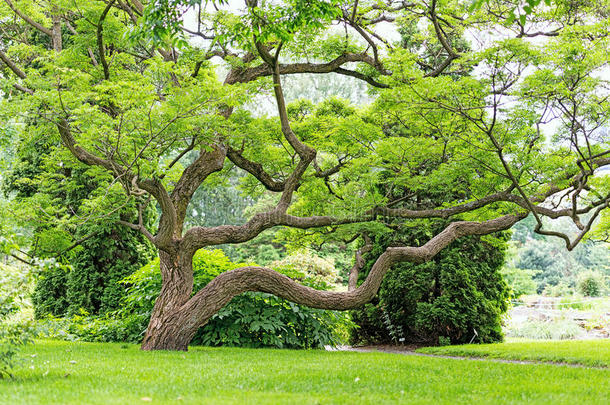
(59, 204)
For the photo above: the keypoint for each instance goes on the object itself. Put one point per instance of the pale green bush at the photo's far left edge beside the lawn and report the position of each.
(14, 330)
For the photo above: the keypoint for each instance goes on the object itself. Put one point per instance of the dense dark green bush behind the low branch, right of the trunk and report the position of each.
(457, 296)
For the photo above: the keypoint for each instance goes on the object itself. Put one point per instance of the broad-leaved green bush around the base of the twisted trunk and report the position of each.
(250, 319)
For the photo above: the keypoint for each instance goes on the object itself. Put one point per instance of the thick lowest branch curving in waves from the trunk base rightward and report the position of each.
(209, 300)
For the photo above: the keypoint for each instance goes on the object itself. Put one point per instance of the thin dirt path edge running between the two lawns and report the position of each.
(410, 351)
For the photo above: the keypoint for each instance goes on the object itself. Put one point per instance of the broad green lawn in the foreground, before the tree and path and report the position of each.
(91, 373)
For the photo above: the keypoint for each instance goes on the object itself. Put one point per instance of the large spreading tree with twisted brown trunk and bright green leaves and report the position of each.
(121, 90)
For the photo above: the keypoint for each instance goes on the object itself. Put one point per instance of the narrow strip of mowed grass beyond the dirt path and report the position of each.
(586, 352)
